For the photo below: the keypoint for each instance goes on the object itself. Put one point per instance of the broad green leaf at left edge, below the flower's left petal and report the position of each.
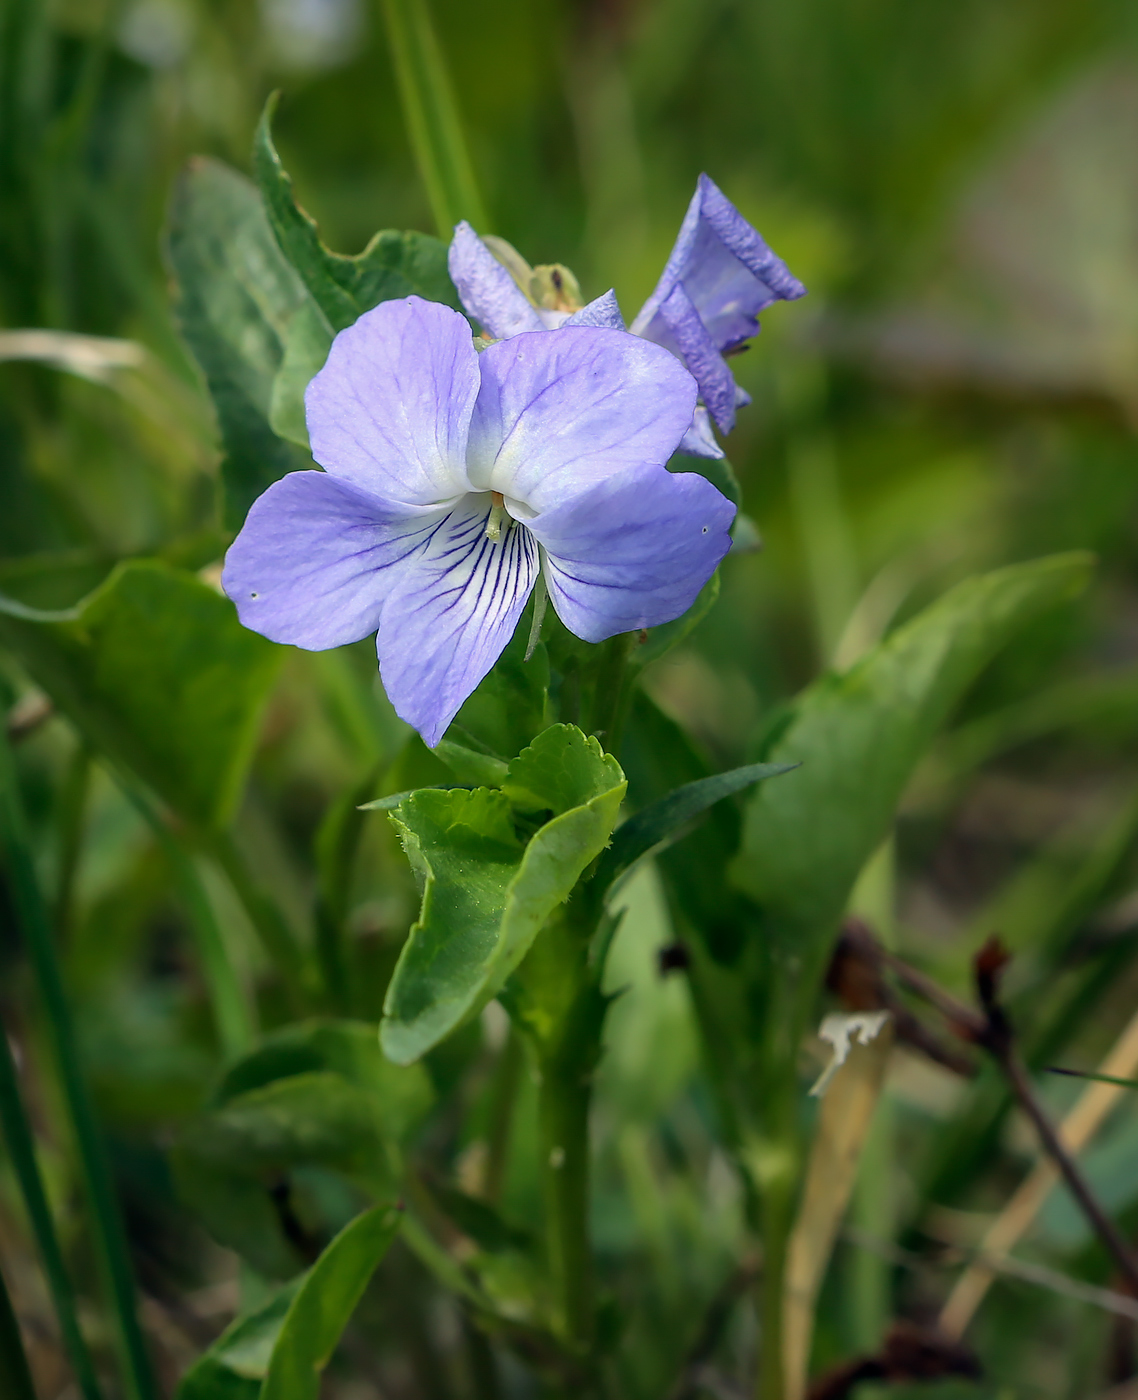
(159, 674)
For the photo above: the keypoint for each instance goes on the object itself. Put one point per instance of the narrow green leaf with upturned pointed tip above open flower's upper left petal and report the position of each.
(393, 265)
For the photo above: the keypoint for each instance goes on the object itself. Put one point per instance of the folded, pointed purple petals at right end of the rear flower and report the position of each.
(726, 268)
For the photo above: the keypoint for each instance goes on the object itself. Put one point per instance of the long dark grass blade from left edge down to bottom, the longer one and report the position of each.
(110, 1237)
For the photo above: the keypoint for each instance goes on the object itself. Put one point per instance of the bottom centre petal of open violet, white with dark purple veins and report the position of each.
(450, 612)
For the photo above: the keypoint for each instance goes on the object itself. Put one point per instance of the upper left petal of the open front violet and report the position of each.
(391, 409)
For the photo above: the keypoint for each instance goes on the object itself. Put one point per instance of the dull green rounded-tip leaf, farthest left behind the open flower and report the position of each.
(237, 297)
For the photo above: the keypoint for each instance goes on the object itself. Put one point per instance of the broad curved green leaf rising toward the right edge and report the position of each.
(859, 737)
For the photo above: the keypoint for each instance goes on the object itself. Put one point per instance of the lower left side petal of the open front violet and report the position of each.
(313, 562)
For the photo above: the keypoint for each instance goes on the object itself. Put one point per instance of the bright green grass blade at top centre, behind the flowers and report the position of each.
(433, 120)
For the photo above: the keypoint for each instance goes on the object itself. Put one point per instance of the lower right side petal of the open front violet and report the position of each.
(633, 551)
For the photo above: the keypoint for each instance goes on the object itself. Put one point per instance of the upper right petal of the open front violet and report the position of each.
(562, 411)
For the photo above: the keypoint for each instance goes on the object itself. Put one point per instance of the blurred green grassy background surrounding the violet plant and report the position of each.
(955, 183)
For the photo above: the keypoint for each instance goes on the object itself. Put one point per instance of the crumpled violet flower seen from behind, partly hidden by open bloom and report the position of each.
(706, 304)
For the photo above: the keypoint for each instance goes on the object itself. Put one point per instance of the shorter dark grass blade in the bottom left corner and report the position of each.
(22, 1150)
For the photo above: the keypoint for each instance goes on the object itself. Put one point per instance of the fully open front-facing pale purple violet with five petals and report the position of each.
(454, 478)
